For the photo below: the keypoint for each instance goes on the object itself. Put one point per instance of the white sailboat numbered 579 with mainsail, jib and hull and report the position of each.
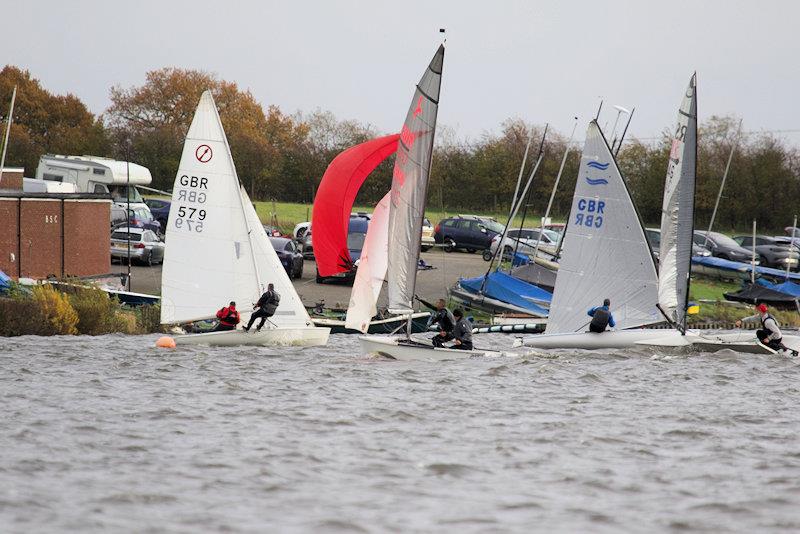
(218, 250)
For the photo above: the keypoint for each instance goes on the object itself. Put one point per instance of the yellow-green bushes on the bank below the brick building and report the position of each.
(46, 311)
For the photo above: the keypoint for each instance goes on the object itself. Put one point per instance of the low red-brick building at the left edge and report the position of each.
(60, 234)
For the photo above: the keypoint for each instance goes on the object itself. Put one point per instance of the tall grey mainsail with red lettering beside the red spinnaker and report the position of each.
(410, 186)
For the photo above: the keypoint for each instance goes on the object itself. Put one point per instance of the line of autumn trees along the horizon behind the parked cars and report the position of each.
(283, 156)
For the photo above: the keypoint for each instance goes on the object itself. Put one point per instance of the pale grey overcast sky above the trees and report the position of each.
(544, 61)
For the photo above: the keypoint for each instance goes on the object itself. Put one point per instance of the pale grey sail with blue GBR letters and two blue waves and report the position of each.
(605, 252)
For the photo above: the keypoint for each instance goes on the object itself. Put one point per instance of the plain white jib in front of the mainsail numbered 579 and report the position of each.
(290, 312)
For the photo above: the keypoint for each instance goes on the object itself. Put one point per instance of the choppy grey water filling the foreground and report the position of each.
(111, 434)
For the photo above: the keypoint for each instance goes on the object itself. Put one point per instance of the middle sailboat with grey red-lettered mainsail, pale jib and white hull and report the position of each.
(406, 207)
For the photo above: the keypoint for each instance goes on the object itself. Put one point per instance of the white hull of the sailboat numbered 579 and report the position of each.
(269, 337)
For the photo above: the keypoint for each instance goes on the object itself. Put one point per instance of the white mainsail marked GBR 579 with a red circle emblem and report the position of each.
(207, 261)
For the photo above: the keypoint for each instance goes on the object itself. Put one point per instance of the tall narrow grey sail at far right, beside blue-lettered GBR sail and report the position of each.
(677, 215)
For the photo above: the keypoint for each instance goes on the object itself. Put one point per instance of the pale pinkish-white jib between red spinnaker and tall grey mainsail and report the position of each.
(371, 269)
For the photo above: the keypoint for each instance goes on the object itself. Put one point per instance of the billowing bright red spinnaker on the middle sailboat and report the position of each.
(334, 201)
